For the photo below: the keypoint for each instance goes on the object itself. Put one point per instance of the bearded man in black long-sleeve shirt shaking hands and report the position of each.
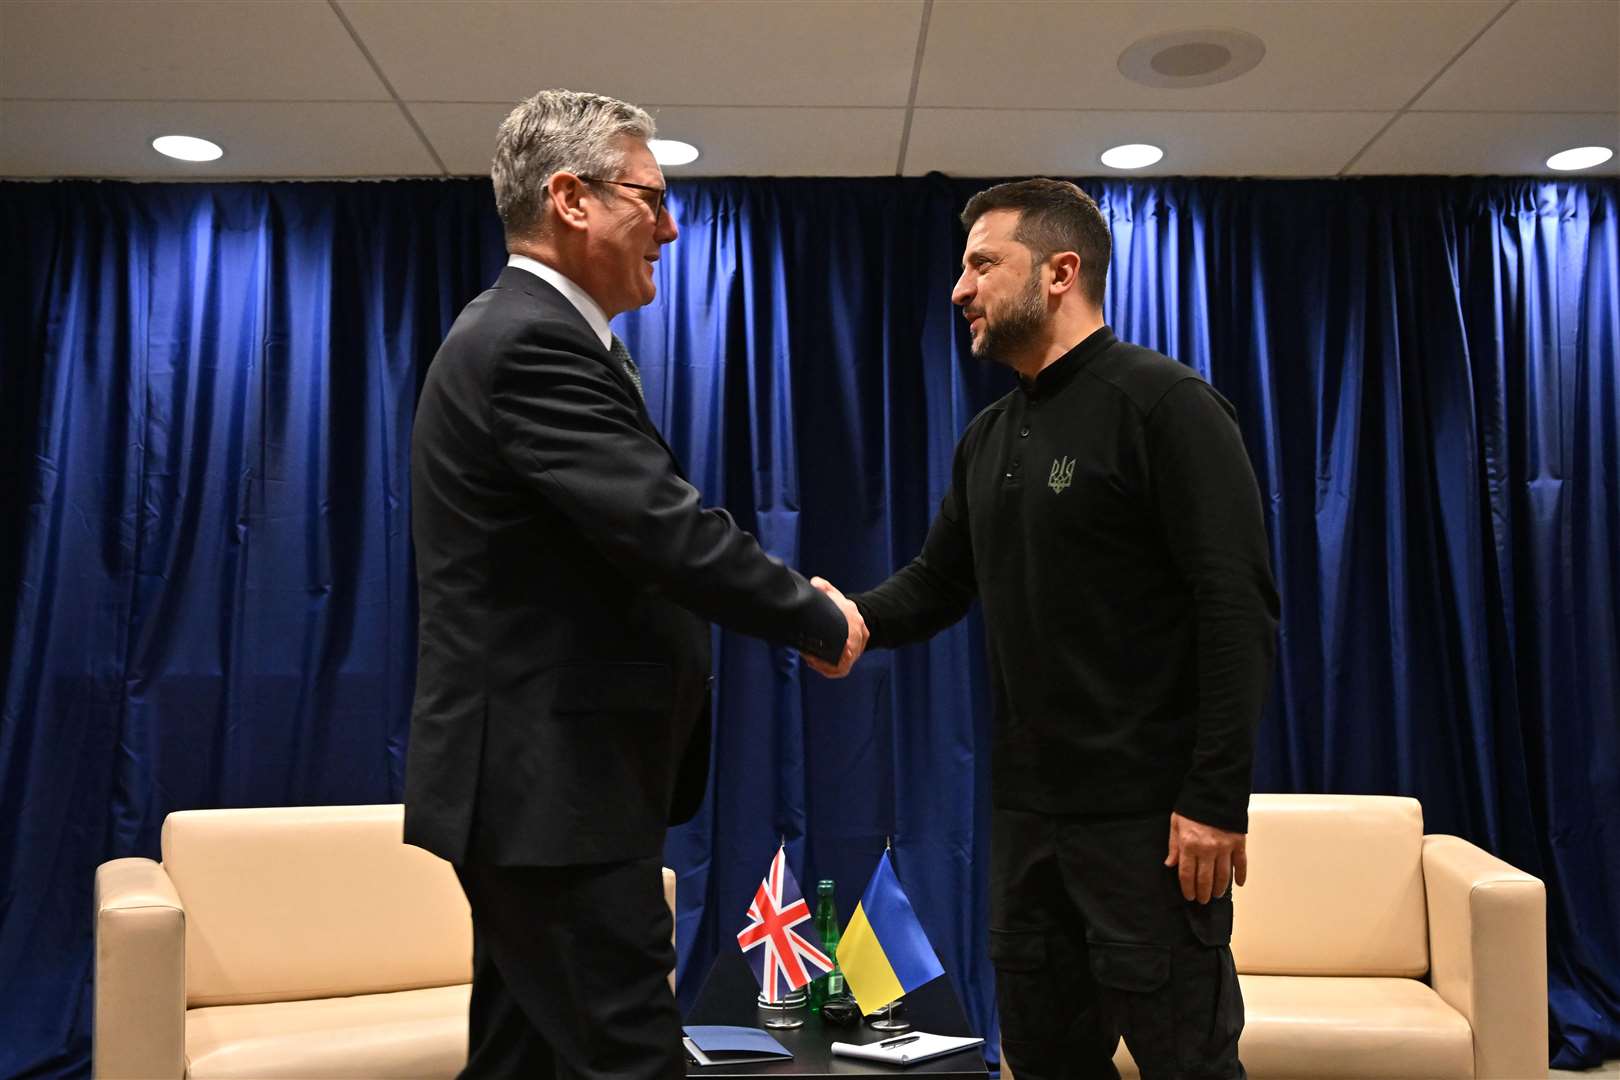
(1107, 517)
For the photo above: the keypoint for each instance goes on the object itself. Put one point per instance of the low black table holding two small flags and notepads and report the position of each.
(730, 998)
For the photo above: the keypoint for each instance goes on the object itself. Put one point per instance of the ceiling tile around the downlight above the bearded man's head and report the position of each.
(997, 143)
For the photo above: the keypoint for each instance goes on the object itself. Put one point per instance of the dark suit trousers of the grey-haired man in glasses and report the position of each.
(571, 971)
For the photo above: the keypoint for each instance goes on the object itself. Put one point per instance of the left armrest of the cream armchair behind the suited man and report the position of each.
(140, 1024)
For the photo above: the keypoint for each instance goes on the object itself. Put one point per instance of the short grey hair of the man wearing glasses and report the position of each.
(558, 132)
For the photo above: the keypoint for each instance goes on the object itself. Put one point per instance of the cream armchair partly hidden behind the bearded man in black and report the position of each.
(1368, 950)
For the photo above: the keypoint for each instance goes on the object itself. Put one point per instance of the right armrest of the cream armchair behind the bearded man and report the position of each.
(1488, 955)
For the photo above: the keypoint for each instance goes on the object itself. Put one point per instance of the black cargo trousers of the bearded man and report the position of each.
(1093, 940)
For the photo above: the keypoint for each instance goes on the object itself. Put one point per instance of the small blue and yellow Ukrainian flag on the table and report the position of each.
(884, 951)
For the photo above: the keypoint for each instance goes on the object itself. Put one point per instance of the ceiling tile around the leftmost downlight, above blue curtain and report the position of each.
(262, 140)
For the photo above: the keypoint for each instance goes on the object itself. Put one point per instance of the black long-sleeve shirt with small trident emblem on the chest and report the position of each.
(1109, 519)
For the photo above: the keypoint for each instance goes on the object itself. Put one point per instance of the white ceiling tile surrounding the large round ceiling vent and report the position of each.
(1319, 54)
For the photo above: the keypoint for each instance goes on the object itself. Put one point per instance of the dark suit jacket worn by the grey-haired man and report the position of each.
(566, 569)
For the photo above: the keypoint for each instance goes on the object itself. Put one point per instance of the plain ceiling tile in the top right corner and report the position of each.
(1543, 56)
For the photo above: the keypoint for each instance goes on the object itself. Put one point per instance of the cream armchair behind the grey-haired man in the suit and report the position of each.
(283, 943)
